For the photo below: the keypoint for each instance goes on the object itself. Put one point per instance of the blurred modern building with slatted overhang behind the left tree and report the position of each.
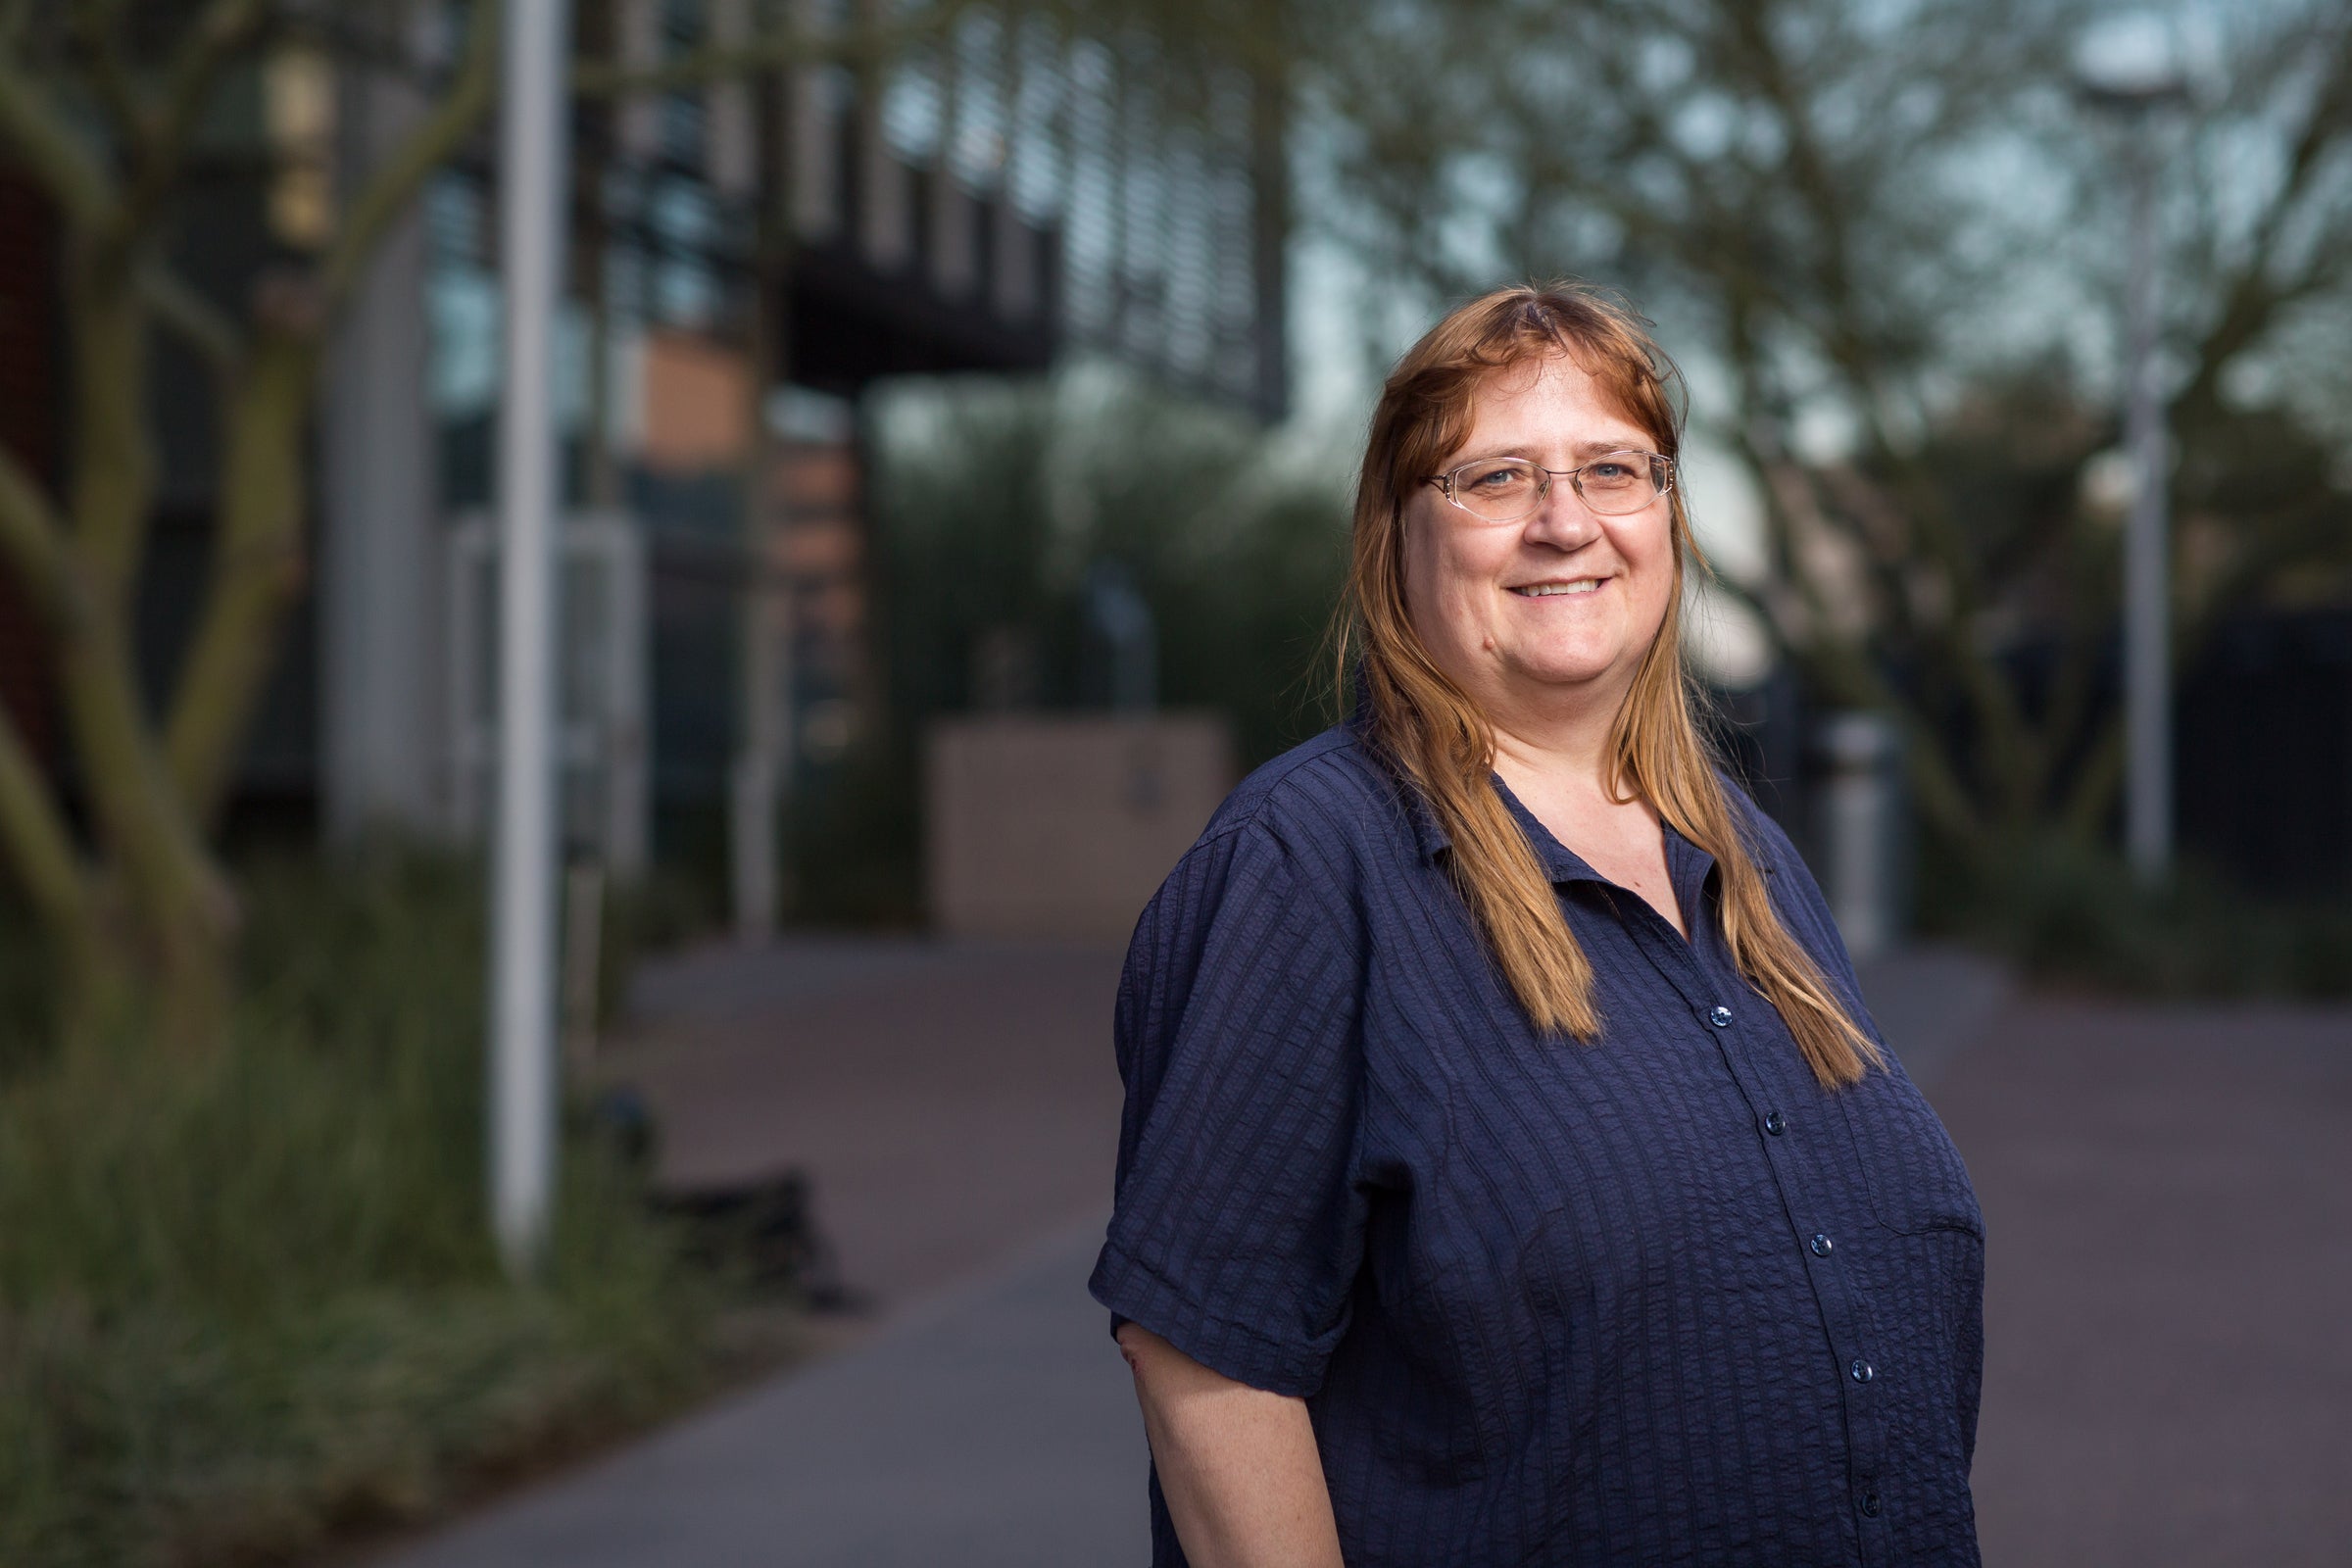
(749, 260)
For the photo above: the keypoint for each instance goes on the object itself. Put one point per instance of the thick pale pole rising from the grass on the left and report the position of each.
(533, 232)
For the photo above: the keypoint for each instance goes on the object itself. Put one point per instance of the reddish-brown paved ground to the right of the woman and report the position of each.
(2167, 1287)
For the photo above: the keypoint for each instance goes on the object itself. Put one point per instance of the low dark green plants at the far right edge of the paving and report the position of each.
(2071, 913)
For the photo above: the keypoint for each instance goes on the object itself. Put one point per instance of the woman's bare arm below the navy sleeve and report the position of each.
(1238, 1466)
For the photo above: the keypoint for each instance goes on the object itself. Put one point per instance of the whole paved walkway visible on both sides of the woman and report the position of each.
(2170, 1275)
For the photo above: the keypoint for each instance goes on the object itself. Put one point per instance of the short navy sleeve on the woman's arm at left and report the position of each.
(1241, 1226)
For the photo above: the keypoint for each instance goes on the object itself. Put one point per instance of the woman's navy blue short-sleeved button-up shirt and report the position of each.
(1650, 1301)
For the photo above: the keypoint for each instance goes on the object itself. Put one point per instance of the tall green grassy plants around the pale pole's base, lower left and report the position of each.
(248, 1301)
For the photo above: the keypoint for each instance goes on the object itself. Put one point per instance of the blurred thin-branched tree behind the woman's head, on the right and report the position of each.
(1876, 234)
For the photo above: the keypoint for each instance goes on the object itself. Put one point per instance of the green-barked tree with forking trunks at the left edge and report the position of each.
(116, 112)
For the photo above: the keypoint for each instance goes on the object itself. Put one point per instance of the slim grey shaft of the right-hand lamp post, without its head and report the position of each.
(2149, 681)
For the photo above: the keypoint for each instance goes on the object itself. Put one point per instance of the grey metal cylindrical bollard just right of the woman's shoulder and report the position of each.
(1859, 829)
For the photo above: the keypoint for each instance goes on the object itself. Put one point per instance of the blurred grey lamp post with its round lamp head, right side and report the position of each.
(2130, 72)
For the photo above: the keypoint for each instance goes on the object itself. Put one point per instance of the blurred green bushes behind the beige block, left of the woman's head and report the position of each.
(996, 500)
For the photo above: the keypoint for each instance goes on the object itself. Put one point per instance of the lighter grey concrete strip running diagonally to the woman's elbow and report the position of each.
(989, 1428)
